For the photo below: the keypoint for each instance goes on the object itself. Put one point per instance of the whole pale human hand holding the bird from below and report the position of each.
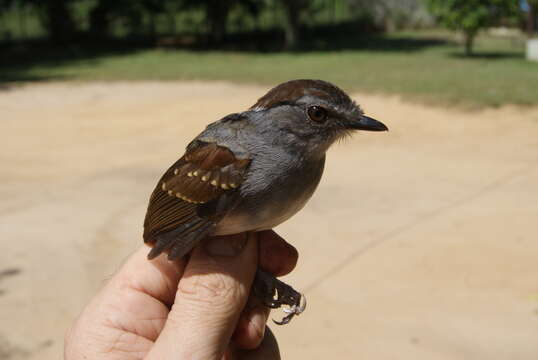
(198, 308)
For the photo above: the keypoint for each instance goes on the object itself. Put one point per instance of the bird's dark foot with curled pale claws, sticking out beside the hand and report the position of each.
(274, 293)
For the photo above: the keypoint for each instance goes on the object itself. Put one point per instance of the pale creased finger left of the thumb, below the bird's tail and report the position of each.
(135, 301)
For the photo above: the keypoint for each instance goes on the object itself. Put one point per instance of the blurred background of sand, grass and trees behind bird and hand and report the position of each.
(425, 249)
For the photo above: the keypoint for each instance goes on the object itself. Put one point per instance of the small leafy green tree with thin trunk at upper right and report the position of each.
(470, 16)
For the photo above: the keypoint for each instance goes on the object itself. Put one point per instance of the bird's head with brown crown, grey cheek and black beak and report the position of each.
(312, 112)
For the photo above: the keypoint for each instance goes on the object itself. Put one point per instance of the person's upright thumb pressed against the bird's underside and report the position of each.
(210, 297)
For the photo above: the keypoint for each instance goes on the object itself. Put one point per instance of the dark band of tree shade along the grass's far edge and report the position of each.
(18, 59)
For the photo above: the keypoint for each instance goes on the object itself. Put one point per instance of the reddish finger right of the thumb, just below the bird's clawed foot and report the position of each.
(251, 326)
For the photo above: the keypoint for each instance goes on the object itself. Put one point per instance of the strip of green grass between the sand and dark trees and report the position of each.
(413, 65)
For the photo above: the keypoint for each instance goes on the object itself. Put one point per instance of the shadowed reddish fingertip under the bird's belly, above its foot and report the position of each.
(276, 255)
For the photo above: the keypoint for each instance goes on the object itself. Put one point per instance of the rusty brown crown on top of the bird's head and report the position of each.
(291, 91)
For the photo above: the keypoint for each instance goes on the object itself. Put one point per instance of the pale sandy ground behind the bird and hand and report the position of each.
(420, 243)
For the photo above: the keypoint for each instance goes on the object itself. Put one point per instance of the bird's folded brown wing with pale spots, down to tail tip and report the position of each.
(183, 207)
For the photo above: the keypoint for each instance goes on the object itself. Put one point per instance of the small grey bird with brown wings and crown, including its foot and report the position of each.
(251, 171)
